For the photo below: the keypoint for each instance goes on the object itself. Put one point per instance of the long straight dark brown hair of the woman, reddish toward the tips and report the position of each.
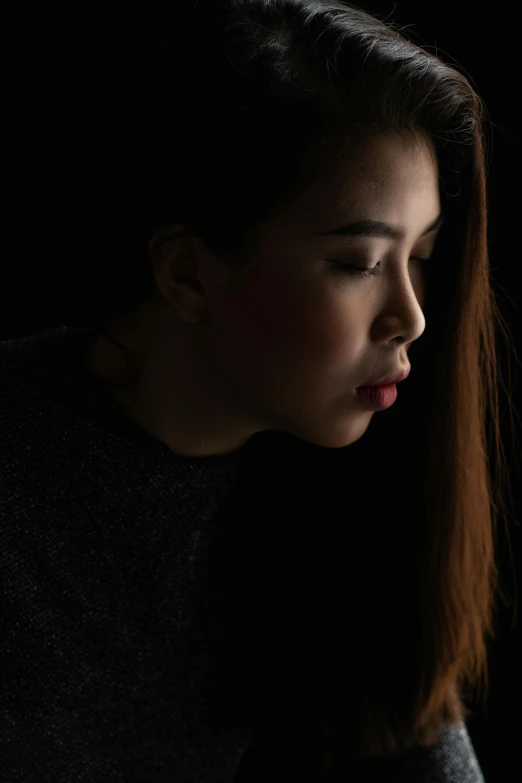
(244, 104)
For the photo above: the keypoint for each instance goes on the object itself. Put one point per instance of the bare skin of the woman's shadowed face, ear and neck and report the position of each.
(282, 343)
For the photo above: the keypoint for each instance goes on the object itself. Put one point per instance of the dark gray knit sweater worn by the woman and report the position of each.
(108, 651)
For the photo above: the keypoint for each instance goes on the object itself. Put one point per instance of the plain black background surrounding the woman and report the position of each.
(59, 213)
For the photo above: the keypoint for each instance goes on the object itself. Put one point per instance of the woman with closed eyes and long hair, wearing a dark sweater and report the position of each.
(311, 186)
